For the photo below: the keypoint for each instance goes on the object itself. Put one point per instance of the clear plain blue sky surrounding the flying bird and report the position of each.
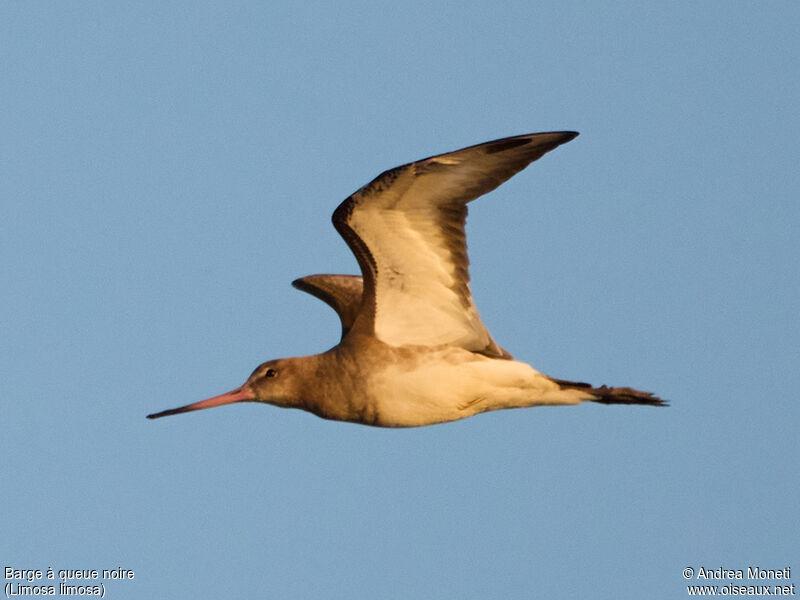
(167, 168)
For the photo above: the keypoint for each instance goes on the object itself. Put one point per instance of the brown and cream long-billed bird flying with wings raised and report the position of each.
(413, 349)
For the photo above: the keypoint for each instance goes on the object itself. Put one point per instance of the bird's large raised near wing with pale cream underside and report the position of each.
(406, 229)
